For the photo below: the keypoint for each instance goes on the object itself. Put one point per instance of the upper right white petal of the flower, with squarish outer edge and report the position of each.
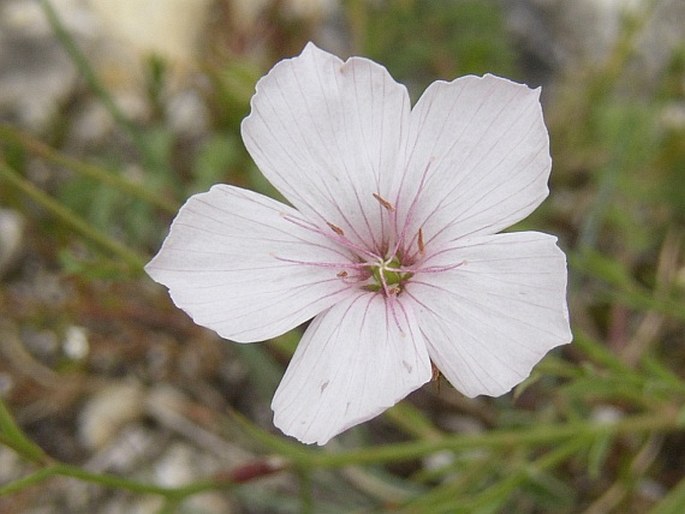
(486, 147)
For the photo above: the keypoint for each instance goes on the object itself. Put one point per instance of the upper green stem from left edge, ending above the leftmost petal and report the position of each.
(102, 175)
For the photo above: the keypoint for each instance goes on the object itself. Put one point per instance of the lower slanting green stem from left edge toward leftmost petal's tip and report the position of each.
(135, 261)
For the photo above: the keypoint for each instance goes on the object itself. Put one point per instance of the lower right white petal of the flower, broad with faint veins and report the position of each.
(488, 321)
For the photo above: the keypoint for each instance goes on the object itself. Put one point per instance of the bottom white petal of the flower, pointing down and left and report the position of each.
(354, 361)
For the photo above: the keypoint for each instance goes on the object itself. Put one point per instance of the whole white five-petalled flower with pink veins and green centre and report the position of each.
(391, 244)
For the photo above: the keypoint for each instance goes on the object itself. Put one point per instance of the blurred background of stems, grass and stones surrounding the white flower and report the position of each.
(112, 113)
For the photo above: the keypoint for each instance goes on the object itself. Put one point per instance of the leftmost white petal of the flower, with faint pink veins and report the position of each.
(228, 262)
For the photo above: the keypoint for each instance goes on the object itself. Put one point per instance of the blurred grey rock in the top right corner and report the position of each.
(561, 36)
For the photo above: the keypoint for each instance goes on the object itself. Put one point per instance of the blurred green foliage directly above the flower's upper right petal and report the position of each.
(438, 39)
